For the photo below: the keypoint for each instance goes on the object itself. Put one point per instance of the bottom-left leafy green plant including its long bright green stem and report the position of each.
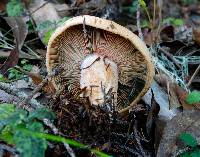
(26, 132)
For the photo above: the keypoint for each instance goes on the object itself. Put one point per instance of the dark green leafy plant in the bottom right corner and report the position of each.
(190, 141)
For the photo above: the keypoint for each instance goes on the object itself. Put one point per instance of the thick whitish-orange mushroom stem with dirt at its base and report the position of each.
(99, 79)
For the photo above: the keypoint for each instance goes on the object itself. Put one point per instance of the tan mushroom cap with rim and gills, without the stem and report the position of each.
(67, 47)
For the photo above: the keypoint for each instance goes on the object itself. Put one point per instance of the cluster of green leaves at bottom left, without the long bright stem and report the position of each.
(12, 120)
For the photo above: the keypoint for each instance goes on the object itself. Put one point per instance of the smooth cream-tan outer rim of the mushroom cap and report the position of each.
(115, 28)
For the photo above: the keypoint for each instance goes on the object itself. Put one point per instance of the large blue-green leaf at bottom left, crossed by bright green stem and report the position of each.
(29, 146)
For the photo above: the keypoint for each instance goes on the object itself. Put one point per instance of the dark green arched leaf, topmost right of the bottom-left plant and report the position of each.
(40, 114)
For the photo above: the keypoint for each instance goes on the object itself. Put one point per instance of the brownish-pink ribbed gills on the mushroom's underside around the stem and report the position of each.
(71, 47)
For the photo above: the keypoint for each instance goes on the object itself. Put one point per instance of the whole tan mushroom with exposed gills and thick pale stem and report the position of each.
(101, 60)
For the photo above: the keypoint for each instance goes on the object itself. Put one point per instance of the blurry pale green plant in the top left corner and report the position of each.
(14, 8)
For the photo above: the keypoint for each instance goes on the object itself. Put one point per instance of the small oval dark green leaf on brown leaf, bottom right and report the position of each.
(188, 139)
